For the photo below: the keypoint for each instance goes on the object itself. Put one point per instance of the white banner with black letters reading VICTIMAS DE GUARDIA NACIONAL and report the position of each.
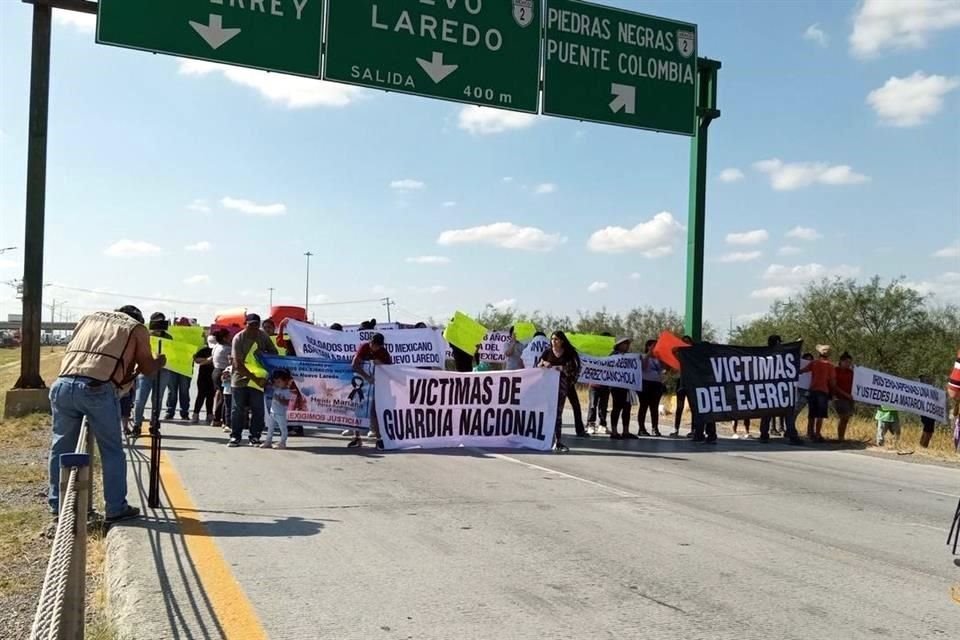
(442, 409)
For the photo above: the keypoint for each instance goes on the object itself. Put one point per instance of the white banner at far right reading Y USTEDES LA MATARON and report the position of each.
(878, 388)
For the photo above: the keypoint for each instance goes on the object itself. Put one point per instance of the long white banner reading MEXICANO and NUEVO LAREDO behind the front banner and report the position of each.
(413, 347)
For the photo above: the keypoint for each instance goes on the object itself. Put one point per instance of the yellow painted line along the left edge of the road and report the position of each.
(228, 600)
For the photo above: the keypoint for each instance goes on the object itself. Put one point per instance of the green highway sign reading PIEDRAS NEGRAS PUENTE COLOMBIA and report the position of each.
(618, 67)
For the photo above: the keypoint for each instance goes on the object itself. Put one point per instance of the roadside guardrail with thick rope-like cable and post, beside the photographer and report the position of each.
(61, 609)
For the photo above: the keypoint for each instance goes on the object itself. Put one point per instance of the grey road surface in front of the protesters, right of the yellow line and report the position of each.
(649, 539)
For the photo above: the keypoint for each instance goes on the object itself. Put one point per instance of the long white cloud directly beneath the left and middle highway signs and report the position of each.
(291, 92)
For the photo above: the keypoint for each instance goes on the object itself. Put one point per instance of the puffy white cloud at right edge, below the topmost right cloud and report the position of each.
(911, 101)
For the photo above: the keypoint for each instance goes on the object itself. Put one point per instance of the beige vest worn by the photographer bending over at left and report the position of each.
(98, 346)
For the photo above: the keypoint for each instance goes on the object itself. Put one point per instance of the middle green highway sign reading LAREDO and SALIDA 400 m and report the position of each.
(484, 52)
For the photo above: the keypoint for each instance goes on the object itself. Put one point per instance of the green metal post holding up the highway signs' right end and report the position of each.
(707, 112)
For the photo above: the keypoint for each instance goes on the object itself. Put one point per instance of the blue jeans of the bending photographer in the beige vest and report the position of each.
(72, 399)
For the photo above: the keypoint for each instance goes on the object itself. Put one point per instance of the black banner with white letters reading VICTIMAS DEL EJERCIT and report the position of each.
(726, 382)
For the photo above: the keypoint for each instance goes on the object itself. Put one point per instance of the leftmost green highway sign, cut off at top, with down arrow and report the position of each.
(274, 35)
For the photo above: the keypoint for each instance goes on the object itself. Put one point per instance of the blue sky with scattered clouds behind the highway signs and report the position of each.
(838, 153)
